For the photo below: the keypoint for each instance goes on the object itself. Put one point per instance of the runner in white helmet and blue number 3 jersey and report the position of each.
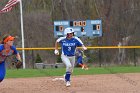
(68, 46)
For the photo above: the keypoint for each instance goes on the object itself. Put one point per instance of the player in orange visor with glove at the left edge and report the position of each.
(6, 49)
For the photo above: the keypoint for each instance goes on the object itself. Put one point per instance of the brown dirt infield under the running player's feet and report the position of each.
(107, 83)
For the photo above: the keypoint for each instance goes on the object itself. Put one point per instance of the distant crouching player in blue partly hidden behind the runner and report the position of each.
(80, 56)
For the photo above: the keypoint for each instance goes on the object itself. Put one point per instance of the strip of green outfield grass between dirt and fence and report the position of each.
(22, 73)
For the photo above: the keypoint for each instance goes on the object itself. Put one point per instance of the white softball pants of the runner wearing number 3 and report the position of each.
(69, 61)
